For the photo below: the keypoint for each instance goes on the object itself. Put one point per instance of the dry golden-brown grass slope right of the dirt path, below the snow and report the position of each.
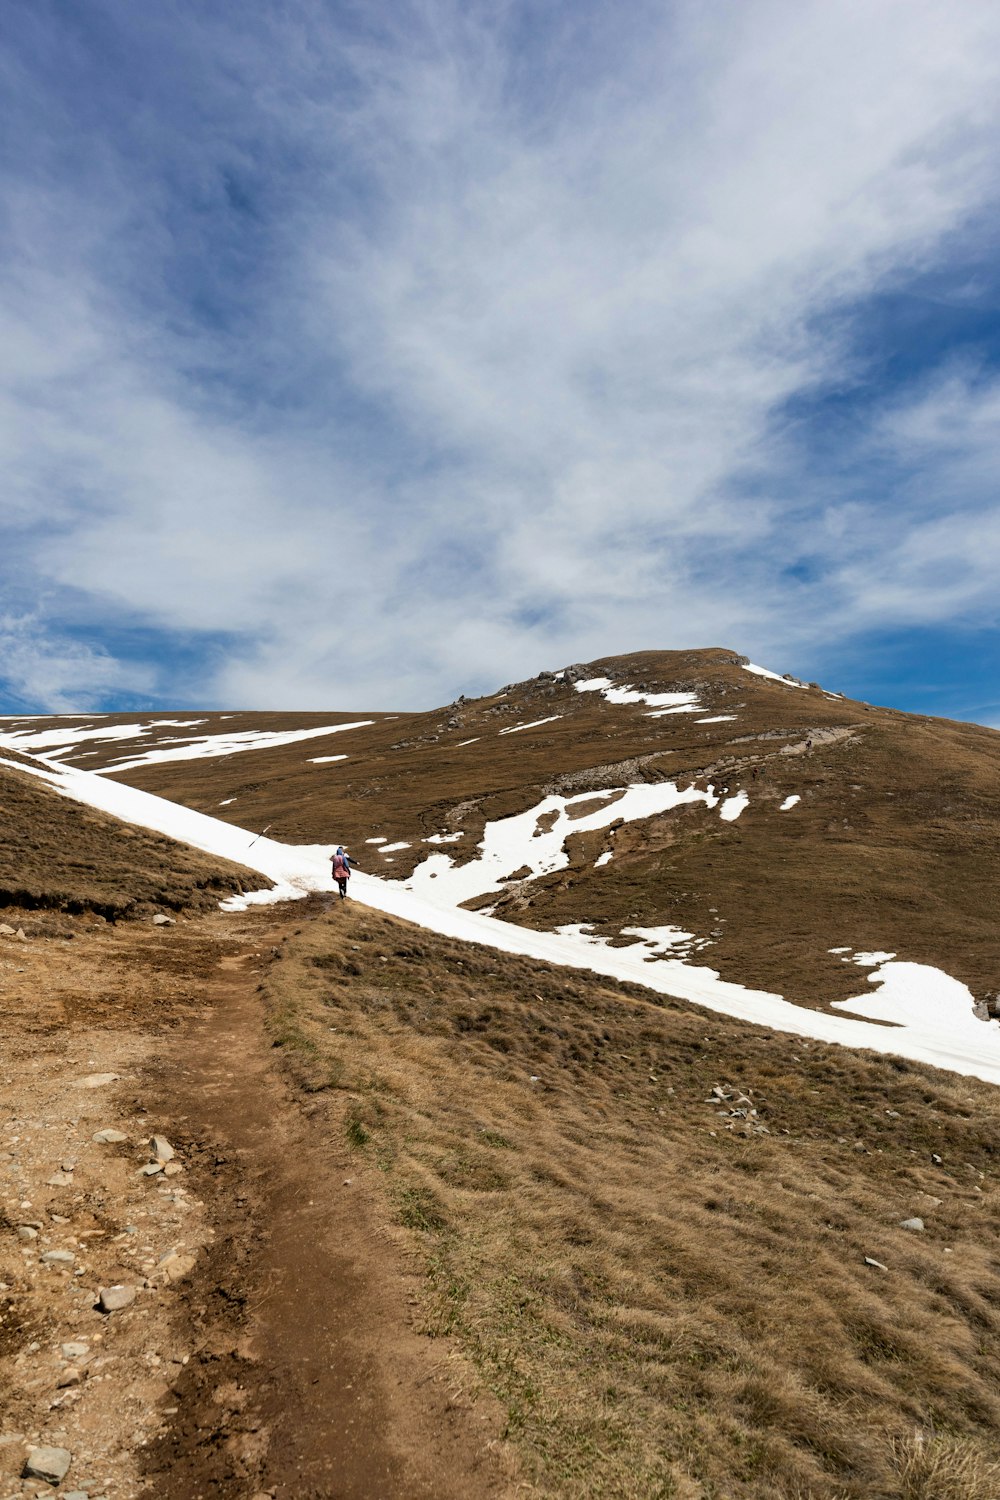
(666, 1301)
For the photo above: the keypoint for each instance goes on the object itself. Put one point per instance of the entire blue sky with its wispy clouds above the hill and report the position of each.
(358, 356)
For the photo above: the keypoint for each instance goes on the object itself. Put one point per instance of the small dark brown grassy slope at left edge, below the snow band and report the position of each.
(59, 856)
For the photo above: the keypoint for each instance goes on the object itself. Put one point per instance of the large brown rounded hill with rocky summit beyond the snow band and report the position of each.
(891, 847)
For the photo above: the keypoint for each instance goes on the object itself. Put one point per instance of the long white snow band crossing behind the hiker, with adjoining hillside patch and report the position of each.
(914, 1010)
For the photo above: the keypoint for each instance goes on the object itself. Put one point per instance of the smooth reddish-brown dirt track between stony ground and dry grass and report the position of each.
(310, 1379)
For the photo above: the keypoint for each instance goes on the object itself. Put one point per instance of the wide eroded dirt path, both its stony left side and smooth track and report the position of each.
(278, 1357)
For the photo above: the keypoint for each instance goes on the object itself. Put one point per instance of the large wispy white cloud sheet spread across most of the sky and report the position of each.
(554, 298)
